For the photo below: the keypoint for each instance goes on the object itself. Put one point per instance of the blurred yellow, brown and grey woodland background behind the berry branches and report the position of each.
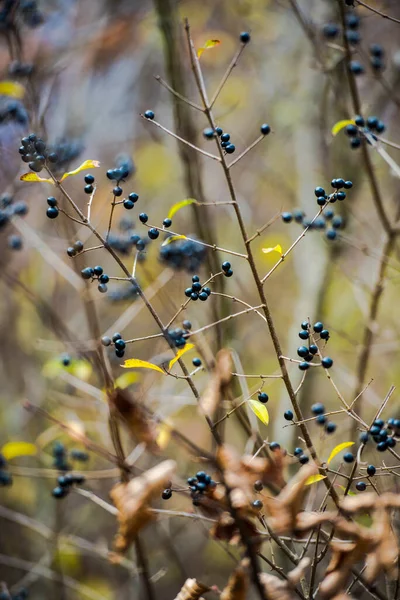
(88, 72)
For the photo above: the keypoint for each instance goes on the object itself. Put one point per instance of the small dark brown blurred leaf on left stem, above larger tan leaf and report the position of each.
(135, 417)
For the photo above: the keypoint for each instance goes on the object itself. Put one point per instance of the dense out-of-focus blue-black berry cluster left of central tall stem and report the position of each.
(184, 255)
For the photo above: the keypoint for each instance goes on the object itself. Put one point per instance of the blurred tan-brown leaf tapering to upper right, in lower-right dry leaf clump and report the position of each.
(282, 510)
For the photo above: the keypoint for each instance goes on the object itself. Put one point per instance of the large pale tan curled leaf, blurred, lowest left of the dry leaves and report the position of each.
(133, 500)
